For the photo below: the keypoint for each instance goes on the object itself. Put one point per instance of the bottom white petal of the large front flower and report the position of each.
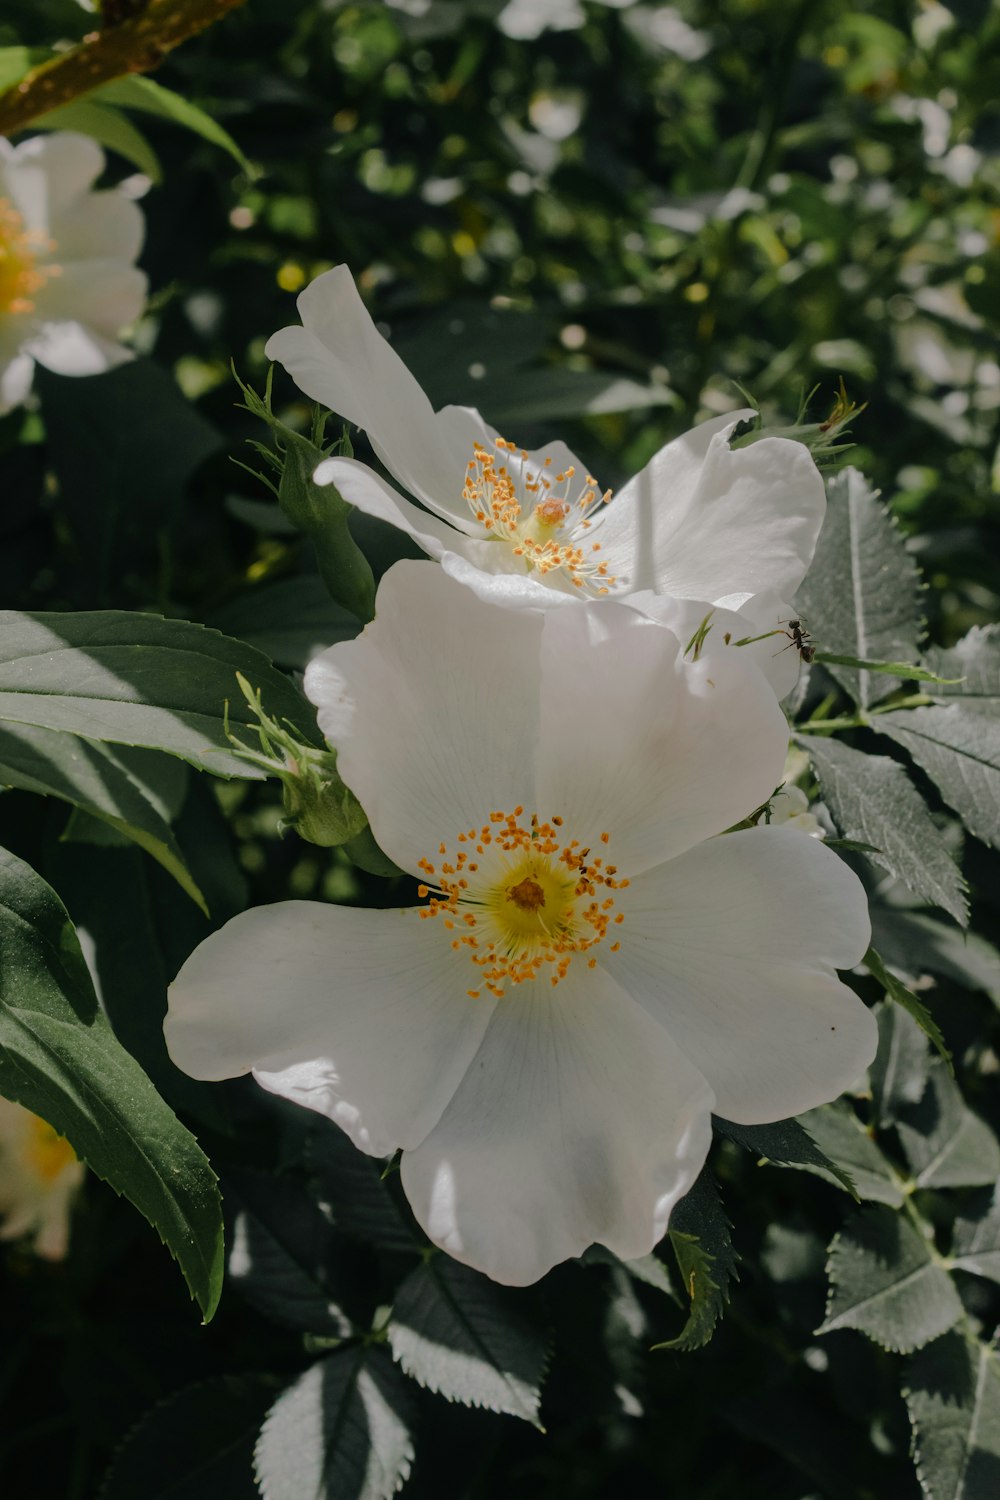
(578, 1121)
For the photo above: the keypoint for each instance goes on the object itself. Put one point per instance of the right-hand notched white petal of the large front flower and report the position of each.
(735, 947)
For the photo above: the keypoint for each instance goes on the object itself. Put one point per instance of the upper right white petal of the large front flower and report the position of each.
(641, 745)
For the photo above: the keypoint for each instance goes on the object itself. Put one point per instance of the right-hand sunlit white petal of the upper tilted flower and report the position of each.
(702, 521)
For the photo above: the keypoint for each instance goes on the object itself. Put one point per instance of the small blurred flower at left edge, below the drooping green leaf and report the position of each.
(40, 1178)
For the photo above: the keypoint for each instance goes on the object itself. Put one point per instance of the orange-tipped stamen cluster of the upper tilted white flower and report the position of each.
(546, 517)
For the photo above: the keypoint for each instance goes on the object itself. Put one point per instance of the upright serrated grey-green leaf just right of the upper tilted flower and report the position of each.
(861, 595)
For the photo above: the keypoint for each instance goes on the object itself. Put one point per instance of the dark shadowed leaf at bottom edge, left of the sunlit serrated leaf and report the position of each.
(196, 1445)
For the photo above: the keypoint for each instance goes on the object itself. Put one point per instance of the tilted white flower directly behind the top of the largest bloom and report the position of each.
(701, 523)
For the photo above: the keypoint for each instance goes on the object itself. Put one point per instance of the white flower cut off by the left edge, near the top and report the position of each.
(68, 283)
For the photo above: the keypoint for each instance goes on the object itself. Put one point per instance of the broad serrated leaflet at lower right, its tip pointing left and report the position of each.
(885, 1282)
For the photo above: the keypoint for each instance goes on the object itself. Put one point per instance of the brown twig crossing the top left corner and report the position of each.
(133, 46)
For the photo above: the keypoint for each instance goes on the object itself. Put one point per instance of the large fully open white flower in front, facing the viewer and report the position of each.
(591, 971)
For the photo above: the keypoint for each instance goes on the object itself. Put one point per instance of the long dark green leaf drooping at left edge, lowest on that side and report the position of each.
(61, 1060)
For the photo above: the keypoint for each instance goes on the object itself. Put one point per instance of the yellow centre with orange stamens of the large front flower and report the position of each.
(521, 901)
